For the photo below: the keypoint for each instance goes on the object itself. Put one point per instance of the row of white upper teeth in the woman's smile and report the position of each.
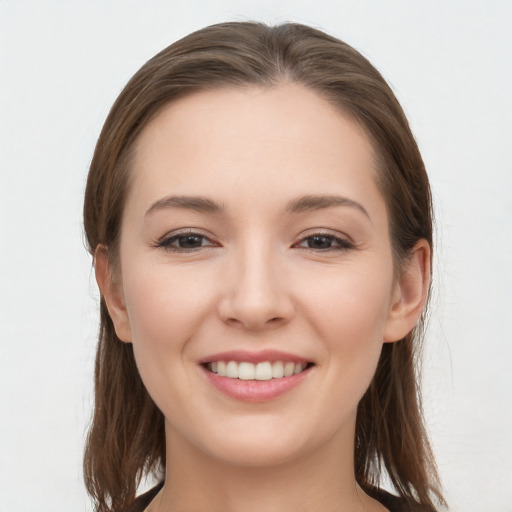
(260, 371)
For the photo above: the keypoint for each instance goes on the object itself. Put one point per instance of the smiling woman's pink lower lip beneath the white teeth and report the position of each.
(255, 390)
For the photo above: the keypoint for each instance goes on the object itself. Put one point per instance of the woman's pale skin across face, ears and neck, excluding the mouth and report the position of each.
(284, 246)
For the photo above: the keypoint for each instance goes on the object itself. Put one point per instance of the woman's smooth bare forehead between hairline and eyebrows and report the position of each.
(285, 139)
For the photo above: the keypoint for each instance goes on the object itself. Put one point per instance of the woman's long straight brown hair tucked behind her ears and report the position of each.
(126, 438)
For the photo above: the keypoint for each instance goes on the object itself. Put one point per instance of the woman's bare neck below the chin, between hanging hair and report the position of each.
(321, 480)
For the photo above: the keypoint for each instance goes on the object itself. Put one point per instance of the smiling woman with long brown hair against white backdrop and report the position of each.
(260, 221)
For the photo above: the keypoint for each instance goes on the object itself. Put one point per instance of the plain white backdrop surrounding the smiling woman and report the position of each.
(61, 66)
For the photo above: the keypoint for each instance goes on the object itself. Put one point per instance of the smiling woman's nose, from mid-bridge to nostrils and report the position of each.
(255, 293)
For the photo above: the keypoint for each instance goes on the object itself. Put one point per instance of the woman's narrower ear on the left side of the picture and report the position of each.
(112, 292)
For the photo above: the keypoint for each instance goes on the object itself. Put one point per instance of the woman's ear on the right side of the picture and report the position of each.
(410, 294)
